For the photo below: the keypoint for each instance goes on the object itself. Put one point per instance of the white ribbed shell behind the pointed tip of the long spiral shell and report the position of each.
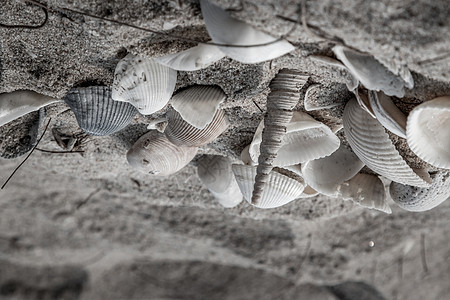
(279, 189)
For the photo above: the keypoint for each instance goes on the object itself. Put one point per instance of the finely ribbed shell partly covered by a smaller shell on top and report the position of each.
(180, 132)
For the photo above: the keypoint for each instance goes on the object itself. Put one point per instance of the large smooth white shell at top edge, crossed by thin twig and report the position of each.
(224, 29)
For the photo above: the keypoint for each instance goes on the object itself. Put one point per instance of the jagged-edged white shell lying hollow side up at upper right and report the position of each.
(370, 72)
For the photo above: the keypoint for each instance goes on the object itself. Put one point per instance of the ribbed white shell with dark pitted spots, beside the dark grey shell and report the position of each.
(144, 83)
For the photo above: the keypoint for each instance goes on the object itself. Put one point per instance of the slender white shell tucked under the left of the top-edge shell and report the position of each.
(193, 59)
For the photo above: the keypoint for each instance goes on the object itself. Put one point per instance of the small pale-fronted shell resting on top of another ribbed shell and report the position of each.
(198, 104)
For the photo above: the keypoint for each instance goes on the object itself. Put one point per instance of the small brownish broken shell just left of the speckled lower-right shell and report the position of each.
(367, 191)
